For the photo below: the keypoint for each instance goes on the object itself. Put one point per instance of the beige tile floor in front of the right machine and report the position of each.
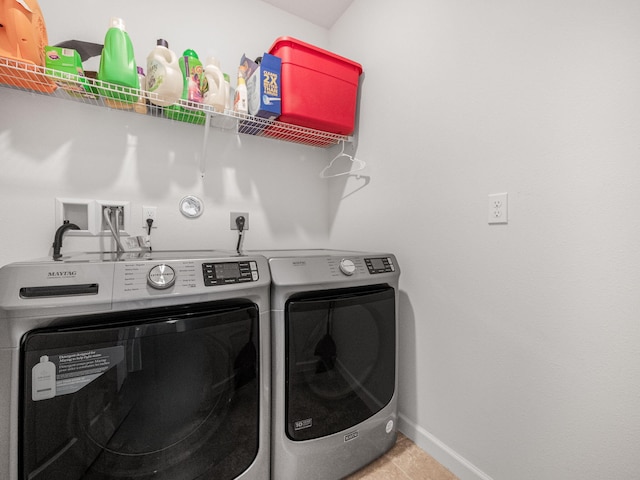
(405, 461)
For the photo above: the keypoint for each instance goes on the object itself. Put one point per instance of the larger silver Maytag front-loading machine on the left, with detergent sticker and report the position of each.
(147, 366)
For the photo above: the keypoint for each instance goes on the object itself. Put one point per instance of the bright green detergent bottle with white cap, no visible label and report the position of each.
(118, 65)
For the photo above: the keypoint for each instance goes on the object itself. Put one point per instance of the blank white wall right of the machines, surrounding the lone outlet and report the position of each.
(520, 351)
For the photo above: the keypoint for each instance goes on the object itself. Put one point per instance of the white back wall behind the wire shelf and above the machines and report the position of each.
(54, 148)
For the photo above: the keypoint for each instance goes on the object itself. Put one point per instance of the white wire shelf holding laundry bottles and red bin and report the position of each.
(26, 76)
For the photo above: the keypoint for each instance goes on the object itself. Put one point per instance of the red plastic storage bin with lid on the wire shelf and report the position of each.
(318, 88)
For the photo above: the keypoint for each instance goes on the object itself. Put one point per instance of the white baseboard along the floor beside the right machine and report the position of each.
(456, 463)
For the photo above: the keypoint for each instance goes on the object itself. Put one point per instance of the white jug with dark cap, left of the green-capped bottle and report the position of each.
(164, 77)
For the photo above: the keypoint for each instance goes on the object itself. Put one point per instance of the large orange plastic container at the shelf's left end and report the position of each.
(23, 36)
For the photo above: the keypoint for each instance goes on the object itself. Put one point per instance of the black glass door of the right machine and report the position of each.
(340, 358)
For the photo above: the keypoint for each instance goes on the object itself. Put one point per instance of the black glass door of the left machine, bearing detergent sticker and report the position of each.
(172, 395)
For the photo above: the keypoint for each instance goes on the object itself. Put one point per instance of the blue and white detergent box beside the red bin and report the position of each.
(263, 88)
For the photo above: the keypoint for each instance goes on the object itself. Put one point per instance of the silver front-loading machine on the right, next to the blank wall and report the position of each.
(334, 361)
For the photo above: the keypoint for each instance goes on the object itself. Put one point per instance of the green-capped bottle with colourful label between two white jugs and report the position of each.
(192, 73)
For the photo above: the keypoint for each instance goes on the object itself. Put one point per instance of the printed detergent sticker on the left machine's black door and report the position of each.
(73, 370)
